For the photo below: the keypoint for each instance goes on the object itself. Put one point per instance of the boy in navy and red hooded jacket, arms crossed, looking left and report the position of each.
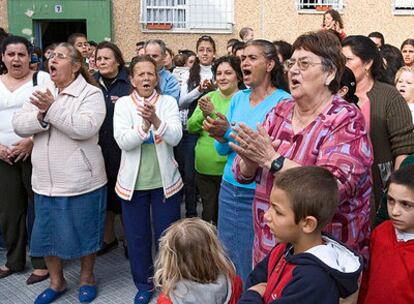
(306, 266)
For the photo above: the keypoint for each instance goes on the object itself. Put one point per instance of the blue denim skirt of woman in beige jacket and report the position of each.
(68, 227)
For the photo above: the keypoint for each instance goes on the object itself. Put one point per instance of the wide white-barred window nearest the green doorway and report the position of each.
(187, 15)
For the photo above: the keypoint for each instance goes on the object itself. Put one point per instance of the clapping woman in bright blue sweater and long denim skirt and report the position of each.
(263, 73)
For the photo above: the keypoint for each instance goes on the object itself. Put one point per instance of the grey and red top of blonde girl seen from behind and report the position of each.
(223, 291)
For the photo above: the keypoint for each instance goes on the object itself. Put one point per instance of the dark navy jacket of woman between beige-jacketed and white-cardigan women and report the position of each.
(110, 150)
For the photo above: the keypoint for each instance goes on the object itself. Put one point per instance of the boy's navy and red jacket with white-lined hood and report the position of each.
(320, 275)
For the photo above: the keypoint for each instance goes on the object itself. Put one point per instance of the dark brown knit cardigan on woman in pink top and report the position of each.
(391, 132)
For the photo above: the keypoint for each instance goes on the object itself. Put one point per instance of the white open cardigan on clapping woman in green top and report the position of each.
(129, 135)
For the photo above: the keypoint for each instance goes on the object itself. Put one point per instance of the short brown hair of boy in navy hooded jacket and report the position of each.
(312, 191)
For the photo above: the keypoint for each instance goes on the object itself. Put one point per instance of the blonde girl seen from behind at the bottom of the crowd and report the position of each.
(192, 265)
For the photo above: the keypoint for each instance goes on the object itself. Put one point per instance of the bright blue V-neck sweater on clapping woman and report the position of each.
(241, 111)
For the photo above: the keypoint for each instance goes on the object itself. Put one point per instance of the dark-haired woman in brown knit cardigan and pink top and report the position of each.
(387, 116)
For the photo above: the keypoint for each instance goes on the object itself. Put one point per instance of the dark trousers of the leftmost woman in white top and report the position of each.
(15, 194)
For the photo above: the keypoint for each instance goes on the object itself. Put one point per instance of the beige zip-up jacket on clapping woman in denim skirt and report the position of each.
(66, 157)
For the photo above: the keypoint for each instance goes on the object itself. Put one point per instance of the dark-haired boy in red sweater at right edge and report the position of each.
(390, 276)
